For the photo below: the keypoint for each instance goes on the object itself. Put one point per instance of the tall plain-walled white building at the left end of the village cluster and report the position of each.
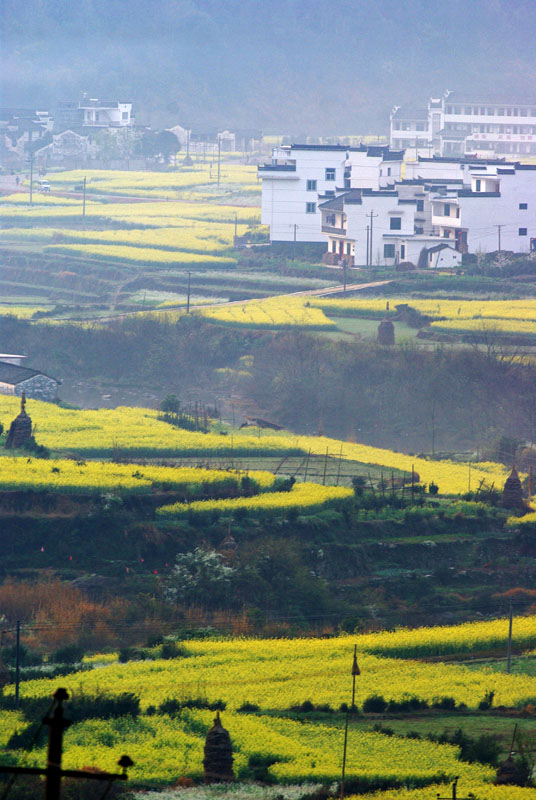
(300, 176)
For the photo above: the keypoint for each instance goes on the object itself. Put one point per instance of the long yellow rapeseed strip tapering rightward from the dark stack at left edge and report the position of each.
(97, 433)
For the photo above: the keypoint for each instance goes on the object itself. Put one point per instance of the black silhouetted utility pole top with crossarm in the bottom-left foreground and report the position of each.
(53, 771)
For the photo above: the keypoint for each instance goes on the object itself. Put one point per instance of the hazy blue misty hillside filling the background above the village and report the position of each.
(288, 65)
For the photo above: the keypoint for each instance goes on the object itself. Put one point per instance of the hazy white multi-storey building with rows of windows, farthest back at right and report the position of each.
(459, 124)
